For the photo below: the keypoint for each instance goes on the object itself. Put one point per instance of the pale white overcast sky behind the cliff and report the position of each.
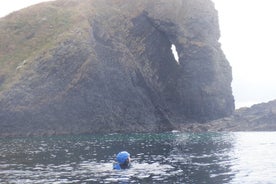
(248, 37)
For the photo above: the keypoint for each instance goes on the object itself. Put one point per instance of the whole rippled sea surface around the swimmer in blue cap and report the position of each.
(190, 158)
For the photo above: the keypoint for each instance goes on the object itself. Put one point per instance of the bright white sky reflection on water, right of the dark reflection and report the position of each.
(253, 158)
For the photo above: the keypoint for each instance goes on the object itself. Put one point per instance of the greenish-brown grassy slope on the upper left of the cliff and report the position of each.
(34, 32)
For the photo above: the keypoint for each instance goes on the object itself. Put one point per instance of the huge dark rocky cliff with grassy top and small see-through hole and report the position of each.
(106, 66)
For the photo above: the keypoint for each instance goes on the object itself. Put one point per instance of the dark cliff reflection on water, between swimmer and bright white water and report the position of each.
(206, 157)
